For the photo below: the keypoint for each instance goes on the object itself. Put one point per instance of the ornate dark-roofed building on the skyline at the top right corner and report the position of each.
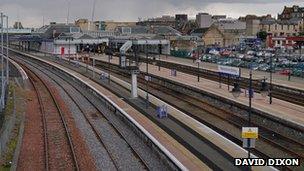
(291, 13)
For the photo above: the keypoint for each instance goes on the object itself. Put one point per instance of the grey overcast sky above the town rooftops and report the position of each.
(31, 12)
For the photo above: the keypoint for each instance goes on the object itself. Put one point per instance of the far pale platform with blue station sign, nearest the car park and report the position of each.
(281, 109)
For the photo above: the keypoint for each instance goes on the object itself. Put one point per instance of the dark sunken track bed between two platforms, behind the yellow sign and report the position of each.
(285, 144)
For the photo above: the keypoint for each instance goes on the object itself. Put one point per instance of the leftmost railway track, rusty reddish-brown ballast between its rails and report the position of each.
(58, 146)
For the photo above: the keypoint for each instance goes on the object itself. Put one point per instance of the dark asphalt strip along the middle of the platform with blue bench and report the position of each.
(204, 148)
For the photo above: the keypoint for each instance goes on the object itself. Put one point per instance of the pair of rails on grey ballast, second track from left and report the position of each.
(89, 119)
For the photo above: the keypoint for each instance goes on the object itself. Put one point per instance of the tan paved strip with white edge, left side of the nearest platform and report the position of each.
(187, 160)
